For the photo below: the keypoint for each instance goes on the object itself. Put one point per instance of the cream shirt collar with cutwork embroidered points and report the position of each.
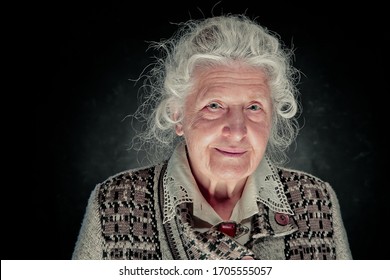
(180, 187)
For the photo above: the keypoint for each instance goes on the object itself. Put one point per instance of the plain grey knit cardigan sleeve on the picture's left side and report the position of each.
(89, 244)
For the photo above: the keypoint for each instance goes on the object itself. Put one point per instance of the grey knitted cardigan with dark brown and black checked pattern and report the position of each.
(123, 220)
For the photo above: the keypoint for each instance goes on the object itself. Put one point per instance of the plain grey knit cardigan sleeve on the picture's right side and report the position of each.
(343, 251)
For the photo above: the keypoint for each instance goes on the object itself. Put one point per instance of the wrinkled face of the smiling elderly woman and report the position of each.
(227, 121)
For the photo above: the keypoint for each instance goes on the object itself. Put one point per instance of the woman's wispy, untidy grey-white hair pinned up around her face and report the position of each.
(219, 40)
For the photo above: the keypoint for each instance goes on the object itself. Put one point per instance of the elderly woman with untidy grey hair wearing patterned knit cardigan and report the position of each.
(223, 103)
